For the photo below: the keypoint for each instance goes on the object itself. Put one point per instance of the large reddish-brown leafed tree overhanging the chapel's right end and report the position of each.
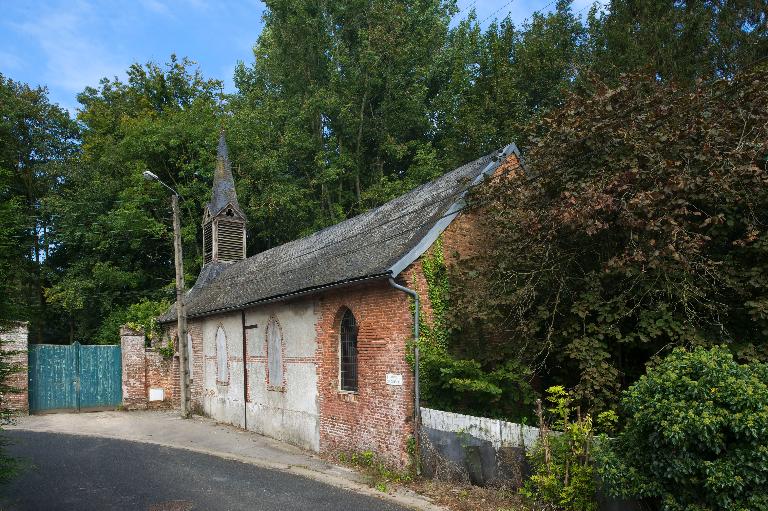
(641, 226)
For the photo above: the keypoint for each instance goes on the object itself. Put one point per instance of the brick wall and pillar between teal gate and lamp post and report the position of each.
(144, 369)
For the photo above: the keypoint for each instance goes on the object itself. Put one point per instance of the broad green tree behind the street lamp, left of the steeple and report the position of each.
(113, 230)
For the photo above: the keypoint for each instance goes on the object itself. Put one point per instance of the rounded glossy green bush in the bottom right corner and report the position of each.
(696, 434)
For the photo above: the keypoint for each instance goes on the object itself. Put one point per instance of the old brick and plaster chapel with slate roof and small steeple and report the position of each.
(307, 342)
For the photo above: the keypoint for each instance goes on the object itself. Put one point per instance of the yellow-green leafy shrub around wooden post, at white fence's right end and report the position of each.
(563, 471)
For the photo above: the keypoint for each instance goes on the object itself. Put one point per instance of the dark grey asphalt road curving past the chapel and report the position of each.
(66, 472)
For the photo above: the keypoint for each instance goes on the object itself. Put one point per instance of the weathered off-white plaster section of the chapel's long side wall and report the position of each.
(289, 414)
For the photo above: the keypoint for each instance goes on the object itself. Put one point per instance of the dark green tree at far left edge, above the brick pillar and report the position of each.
(36, 138)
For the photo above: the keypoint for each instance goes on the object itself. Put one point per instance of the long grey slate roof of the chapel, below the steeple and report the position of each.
(376, 244)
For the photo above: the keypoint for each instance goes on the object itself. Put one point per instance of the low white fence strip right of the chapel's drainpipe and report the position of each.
(499, 433)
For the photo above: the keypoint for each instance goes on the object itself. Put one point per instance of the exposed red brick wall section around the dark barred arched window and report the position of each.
(378, 417)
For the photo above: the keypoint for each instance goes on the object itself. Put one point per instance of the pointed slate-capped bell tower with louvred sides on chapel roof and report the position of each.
(223, 220)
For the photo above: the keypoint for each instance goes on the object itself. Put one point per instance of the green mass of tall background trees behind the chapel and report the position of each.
(345, 105)
